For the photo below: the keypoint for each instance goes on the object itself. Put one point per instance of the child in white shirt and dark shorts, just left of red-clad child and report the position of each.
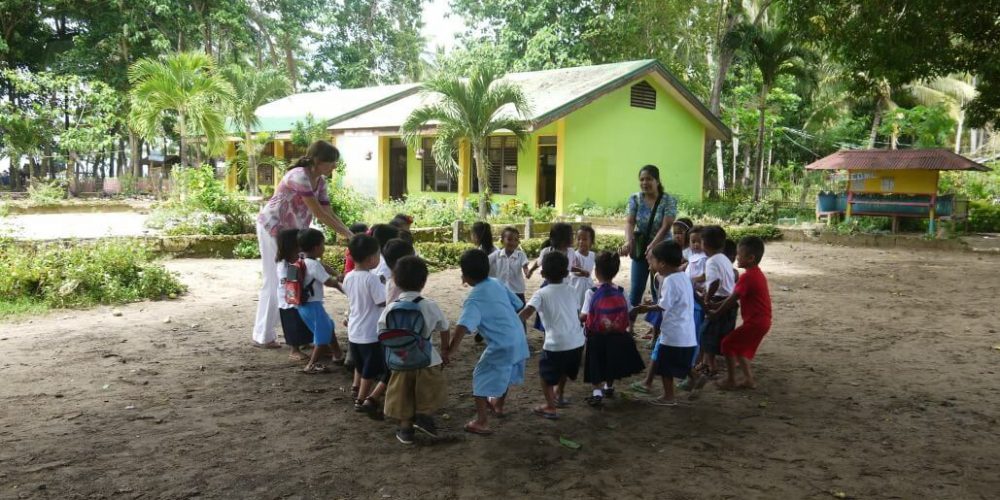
(719, 283)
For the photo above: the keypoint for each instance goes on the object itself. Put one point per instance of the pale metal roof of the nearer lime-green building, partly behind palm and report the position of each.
(553, 94)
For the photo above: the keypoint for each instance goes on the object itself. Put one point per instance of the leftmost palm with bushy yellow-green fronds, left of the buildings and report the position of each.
(182, 85)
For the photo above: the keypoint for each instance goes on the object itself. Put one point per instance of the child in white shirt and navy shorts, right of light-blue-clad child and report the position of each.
(564, 340)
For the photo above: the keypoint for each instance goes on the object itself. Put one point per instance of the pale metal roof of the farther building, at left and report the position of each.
(328, 105)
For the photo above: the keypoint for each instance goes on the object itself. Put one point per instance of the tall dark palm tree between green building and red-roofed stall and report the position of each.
(774, 52)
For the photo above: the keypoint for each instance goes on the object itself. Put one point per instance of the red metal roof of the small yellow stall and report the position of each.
(896, 159)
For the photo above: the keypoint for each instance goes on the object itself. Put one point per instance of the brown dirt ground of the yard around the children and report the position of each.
(878, 380)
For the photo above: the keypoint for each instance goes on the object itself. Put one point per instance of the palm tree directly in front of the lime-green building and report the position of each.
(469, 110)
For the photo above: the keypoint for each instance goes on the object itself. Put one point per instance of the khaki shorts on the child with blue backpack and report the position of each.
(412, 392)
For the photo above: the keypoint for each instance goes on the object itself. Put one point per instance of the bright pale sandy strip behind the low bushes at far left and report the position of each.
(74, 225)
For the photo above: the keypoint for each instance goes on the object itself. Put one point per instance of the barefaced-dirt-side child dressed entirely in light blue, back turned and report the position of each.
(490, 308)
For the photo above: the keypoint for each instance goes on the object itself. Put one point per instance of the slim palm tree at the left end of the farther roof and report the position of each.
(252, 89)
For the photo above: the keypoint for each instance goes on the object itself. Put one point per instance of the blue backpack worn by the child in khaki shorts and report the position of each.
(405, 347)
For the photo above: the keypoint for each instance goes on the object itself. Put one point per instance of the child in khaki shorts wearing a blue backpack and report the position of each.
(413, 395)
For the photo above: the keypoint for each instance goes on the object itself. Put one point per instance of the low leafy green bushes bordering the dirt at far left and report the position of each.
(84, 274)
